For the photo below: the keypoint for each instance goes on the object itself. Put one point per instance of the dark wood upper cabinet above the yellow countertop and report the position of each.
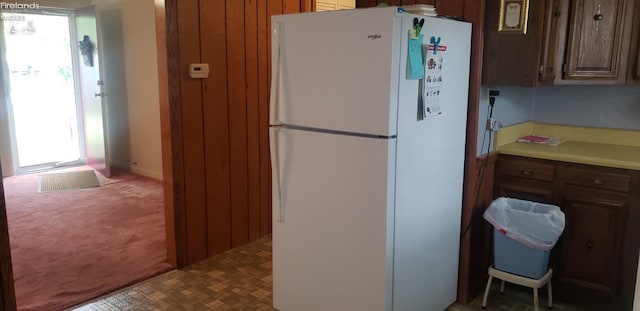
(567, 42)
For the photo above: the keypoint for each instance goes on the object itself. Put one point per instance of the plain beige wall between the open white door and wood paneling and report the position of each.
(140, 120)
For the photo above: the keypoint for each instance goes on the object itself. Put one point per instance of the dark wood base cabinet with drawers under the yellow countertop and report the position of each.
(595, 261)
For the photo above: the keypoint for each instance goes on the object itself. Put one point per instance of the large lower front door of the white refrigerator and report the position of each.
(333, 217)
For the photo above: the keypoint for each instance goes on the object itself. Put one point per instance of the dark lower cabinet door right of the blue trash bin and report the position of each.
(592, 247)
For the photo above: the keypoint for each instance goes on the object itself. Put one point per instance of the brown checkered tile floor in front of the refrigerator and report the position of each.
(240, 279)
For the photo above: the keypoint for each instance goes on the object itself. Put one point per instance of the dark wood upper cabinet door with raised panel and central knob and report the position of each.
(595, 47)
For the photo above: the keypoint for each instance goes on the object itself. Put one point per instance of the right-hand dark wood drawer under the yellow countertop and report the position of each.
(599, 179)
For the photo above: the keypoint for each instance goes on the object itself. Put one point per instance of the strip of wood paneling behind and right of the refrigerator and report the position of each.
(473, 250)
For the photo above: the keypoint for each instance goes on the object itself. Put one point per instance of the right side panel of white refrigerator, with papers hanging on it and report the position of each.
(430, 166)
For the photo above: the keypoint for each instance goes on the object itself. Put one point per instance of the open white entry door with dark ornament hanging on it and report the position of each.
(94, 98)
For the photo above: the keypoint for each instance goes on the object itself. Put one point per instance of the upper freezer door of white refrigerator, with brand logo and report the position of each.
(336, 70)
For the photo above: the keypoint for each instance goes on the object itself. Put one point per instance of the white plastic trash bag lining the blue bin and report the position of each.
(535, 225)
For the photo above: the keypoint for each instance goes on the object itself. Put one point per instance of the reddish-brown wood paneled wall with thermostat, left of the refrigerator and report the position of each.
(219, 125)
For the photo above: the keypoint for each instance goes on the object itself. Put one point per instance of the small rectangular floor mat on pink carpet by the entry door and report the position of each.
(67, 181)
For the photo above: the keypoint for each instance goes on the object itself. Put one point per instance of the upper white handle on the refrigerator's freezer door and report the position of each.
(276, 33)
